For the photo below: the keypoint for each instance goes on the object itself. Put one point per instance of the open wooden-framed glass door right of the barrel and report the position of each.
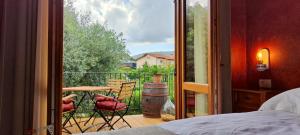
(196, 92)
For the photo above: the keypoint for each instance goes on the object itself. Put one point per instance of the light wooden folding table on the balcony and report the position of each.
(87, 91)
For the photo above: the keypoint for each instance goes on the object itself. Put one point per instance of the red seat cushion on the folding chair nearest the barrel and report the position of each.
(110, 105)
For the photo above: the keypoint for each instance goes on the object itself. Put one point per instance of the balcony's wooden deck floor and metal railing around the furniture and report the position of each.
(134, 116)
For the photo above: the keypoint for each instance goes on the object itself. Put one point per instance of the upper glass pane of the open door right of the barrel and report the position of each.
(196, 48)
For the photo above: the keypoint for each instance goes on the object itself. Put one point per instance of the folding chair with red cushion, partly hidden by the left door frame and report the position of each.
(69, 109)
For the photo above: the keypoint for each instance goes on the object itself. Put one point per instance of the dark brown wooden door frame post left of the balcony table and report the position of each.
(55, 64)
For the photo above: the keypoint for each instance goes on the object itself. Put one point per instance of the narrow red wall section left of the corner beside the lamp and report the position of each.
(238, 43)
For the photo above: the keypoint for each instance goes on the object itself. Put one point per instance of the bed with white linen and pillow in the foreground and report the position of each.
(279, 115)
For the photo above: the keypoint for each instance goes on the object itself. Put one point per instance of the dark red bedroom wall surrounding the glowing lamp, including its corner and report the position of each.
(273, 24)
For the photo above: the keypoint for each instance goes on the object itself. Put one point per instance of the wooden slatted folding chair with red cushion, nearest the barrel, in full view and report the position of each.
(116, 106)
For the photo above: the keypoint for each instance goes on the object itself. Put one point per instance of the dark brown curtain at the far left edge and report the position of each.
(17, 65)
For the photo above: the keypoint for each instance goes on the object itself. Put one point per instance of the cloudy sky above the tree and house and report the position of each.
(147, 25)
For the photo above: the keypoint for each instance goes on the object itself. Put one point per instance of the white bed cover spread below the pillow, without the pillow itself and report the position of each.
(251, 123)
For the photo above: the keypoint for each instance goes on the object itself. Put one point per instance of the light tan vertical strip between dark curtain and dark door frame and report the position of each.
(41, 77)
